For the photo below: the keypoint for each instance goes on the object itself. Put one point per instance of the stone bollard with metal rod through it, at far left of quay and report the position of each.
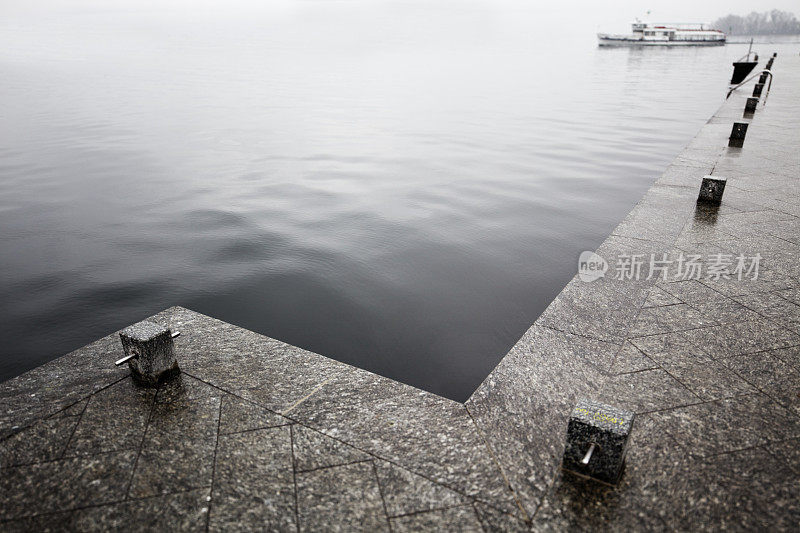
(149, 352)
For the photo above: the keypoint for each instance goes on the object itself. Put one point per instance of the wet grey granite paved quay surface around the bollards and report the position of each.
(258, 434)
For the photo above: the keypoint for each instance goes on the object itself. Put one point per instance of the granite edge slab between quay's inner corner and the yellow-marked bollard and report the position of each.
(523, 405)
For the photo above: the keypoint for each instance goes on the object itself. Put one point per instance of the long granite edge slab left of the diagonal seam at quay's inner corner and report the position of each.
(393, 422)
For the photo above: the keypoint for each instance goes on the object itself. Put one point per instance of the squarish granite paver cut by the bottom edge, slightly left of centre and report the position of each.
(341, 498)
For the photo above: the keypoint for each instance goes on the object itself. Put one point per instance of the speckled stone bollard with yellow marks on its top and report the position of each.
(597, 441)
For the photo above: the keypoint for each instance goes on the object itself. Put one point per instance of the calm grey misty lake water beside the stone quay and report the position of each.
(400, 187)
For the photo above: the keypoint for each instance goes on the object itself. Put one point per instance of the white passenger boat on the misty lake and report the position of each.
(664, 34)
